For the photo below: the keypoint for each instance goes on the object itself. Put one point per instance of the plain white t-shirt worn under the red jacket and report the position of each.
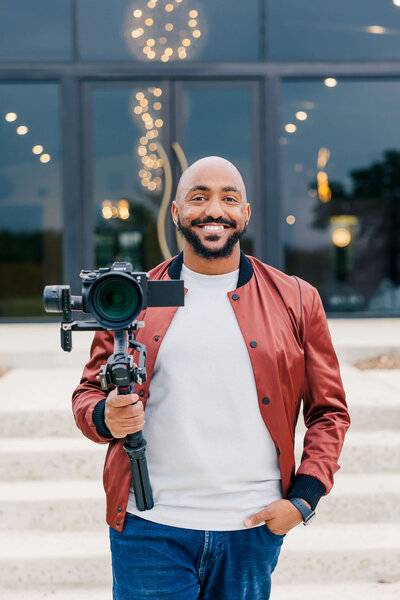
(211, 459)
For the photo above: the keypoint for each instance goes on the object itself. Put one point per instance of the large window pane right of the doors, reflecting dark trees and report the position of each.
(341, 186)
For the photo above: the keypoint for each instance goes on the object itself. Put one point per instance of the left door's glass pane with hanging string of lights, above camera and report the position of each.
(128, 174)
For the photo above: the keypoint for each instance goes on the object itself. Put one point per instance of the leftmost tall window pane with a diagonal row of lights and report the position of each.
(30, 196)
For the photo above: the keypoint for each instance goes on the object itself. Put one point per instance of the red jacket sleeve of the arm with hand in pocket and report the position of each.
(324, 406)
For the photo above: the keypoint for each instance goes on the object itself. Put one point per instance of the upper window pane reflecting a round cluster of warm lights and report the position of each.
(217, 30)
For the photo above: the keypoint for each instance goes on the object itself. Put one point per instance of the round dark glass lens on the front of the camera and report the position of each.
(115, 299)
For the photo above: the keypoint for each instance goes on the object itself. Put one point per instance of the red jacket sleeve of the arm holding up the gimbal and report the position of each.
(88, 400)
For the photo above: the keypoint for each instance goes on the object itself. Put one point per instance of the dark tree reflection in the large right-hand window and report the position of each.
(370, 262)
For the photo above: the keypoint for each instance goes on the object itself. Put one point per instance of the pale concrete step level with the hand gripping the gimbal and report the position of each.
(373, 398)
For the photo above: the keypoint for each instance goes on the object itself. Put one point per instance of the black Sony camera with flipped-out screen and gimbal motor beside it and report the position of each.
(114, 296)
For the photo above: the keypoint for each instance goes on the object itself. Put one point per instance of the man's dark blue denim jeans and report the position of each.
(158, 561)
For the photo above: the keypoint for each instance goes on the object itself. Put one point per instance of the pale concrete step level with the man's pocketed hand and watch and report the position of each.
(59, 506)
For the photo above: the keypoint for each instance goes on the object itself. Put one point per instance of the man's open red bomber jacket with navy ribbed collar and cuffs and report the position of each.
(285, 328)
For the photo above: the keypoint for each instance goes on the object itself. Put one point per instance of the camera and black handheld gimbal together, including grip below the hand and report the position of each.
(115, 297)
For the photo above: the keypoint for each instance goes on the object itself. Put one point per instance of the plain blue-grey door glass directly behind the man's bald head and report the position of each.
(218, 122)
